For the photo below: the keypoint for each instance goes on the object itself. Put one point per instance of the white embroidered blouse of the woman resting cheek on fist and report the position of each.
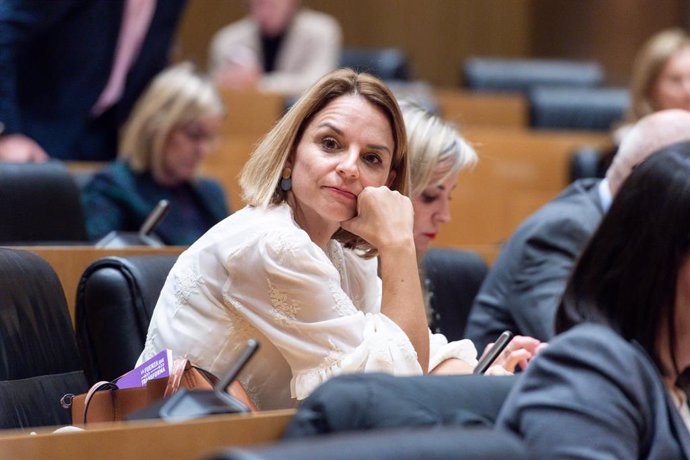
(317, 314)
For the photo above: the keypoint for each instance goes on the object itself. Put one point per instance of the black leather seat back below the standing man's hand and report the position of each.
(39, 203)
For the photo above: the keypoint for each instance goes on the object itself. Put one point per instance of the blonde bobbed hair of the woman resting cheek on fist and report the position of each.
(261, 174)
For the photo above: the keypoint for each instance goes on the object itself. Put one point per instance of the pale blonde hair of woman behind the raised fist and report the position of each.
(436, 150)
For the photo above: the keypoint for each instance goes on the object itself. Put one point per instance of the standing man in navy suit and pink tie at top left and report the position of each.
(56, 61)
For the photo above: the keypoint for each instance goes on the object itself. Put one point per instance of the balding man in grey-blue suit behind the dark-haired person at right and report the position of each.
(525, 284)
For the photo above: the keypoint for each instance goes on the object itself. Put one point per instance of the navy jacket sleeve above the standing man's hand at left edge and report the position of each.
(20, 22)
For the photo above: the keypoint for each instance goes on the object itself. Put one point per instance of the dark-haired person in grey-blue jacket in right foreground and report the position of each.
(610, 384)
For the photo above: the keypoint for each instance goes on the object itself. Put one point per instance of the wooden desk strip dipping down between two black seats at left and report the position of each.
(69, 262)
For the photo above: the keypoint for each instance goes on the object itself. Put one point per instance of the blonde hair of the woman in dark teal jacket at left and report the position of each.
(177, 97)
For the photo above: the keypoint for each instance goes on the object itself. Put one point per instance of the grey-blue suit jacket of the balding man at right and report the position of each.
(525, 285)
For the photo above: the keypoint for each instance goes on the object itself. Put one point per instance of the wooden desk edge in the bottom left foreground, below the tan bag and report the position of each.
(147, 440)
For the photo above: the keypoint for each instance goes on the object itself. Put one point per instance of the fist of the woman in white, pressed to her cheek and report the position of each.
(384, 218)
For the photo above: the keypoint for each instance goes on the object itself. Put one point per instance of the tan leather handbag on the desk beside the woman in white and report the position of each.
(104, 402)
